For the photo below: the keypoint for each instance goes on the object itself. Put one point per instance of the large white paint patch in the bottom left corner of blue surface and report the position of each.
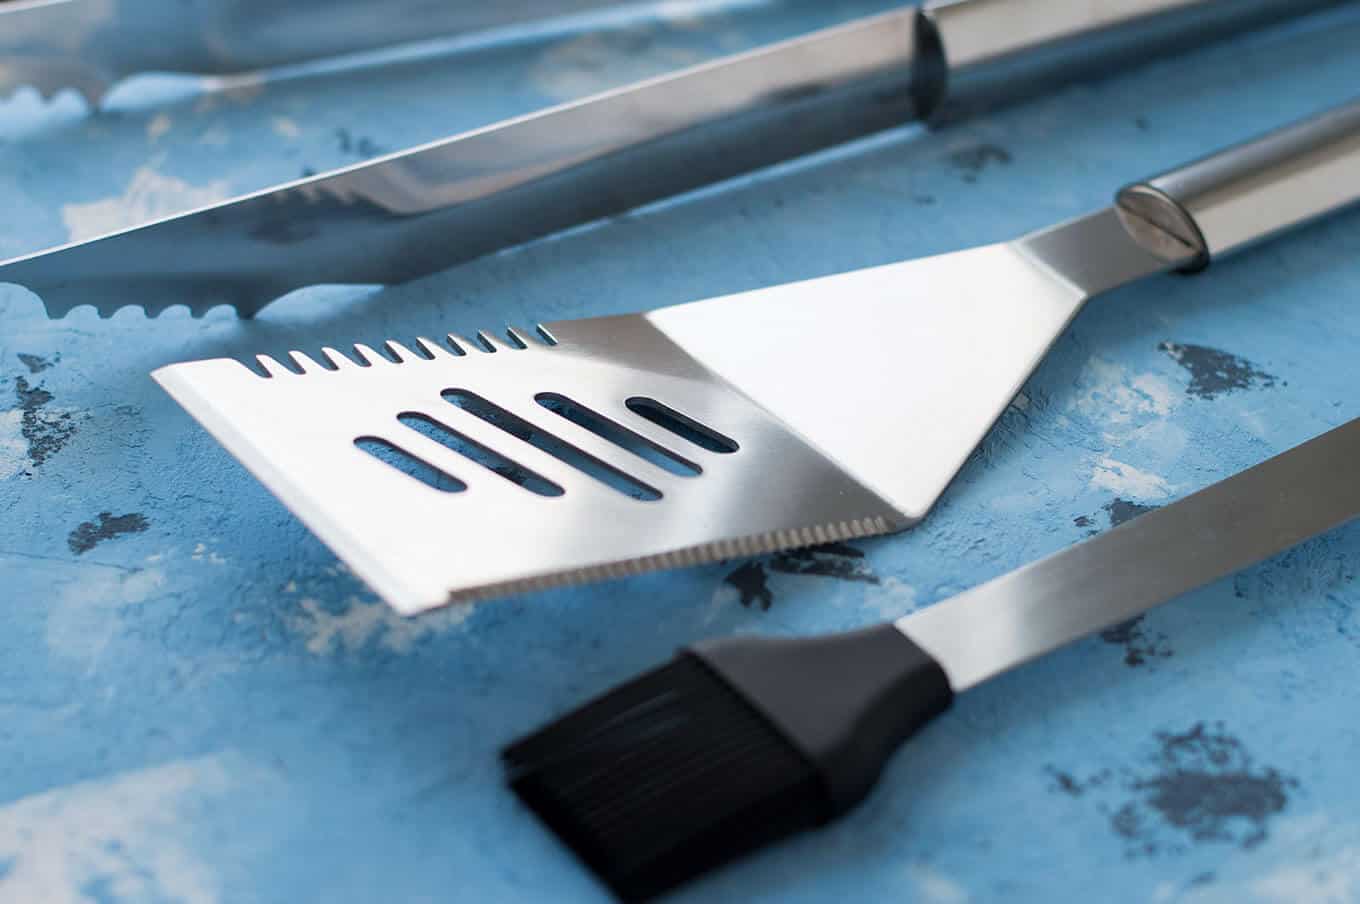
(122, 838)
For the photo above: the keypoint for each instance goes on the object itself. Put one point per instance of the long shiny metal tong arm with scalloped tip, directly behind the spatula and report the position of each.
(417, 213)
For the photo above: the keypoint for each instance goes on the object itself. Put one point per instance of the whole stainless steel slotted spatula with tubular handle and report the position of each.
(724, 428)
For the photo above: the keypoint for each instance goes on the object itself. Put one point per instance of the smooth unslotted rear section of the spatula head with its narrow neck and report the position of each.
(898, 372)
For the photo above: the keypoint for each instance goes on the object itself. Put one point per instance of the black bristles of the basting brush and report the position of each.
(666, 778)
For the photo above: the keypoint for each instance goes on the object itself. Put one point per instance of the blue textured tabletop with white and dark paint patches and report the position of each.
(199, 705)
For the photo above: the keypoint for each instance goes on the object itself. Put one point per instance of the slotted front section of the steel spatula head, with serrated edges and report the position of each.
(422, 549)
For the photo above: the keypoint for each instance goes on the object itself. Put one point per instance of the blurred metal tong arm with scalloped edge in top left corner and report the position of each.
(89, 46)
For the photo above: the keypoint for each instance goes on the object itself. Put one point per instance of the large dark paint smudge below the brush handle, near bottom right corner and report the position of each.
(1208, 788)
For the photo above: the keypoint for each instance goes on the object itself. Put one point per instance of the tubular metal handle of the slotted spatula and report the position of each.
(1251, 192)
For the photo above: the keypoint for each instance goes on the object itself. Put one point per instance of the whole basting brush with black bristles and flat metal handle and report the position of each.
(741, 743)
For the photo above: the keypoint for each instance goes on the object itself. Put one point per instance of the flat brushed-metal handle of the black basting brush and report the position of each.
(1146, 562)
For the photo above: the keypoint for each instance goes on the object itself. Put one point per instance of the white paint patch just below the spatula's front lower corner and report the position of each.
(362, 623)
